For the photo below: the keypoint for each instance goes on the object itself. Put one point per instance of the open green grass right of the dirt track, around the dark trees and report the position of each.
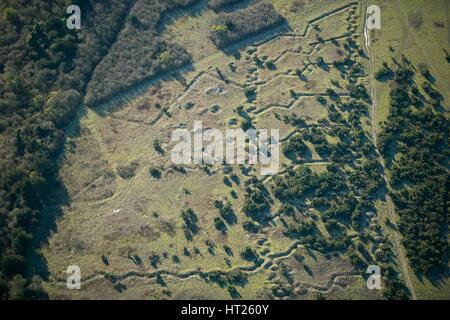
(419, 30)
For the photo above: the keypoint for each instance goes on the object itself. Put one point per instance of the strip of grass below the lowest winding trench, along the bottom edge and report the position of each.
(329, 284)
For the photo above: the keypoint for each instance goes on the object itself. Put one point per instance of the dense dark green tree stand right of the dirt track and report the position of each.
(416, 134)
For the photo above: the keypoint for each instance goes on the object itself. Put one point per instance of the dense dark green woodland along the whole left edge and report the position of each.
(44, 71)
